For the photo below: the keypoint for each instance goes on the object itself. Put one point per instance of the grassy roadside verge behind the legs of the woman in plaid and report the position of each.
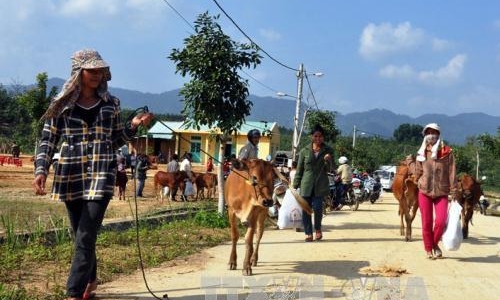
(33, 268)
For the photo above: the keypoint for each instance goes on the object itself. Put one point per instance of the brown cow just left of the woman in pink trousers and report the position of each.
(405, 191)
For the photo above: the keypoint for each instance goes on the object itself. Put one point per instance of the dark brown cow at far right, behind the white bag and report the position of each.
(469, 192)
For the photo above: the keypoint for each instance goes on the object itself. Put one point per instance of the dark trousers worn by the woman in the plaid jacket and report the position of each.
(86, 218)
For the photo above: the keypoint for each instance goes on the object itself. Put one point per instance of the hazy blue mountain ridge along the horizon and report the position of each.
(377, 122)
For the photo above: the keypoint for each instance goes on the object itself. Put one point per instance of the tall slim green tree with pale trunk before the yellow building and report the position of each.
(216, 95)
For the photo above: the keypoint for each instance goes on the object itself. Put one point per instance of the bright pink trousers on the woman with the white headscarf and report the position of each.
(432, 229)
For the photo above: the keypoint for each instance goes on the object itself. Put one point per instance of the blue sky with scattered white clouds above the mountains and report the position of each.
(410, 57)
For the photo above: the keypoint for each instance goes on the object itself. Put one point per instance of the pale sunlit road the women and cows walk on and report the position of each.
(362, 256)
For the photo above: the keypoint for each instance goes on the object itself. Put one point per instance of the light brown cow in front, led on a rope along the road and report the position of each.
(248, 193)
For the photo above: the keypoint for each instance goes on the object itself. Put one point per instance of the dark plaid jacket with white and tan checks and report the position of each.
(87, 164)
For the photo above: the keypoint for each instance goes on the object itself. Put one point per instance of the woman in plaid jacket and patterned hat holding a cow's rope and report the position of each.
(83, 120)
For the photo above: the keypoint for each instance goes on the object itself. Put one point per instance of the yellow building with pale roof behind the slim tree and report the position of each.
(168, 138)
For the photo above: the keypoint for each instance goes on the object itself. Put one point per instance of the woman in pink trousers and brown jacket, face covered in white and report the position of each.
(436, 175)
